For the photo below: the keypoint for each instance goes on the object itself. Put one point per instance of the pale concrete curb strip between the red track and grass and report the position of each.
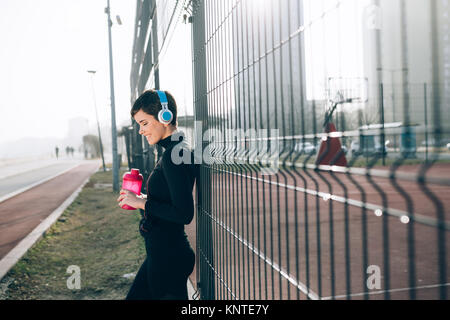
(8, 261)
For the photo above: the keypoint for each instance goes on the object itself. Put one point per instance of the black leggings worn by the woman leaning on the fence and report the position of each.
(163, 276)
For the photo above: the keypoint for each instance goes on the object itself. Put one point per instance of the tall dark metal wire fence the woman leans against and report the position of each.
(323, 129)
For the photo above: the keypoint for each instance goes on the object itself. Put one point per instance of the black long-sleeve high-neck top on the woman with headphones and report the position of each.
(170, 203)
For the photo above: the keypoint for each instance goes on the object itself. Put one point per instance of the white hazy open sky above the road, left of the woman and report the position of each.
(46, 48)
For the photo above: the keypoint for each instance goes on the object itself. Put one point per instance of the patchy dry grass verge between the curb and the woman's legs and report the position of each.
(92, 233)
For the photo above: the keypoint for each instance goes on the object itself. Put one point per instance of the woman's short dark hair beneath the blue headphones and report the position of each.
(150, 104)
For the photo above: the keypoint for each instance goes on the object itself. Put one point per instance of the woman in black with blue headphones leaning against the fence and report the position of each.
(168, 205)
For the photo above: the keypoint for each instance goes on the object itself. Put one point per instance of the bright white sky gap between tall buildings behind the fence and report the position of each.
(327, 52)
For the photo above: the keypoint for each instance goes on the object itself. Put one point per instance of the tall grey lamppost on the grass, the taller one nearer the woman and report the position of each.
(113, 108)
